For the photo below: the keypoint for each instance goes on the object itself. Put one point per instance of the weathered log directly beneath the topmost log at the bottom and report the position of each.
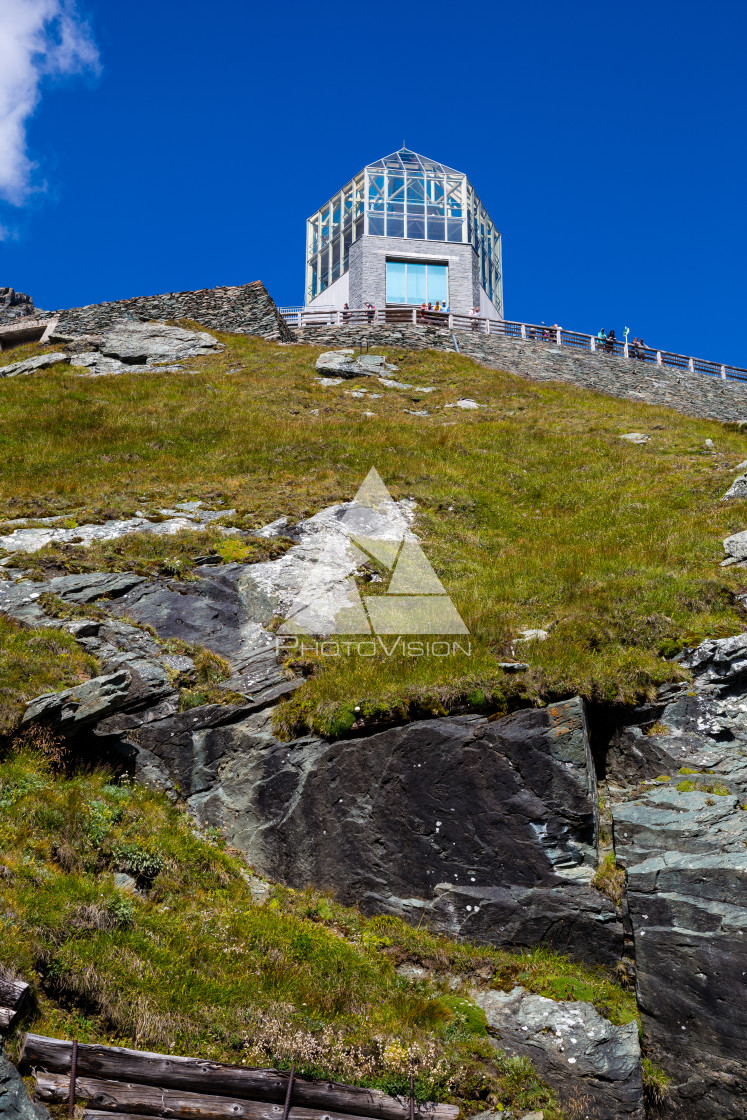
(123, 1098)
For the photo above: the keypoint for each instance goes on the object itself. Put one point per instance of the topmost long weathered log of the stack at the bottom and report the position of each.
(167, 1071)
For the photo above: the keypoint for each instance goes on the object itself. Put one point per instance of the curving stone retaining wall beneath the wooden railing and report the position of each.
(694, 394)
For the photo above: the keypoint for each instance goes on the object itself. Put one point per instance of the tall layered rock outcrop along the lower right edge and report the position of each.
(681, 834)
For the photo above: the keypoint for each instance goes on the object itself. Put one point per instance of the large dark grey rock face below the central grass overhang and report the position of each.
(489, 828)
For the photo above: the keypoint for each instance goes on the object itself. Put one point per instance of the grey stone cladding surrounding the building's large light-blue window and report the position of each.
(368, 268)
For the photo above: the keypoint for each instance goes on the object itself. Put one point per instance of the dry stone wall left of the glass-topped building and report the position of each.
(247, 310)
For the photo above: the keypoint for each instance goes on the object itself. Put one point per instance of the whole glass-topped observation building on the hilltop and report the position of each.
(422, 216)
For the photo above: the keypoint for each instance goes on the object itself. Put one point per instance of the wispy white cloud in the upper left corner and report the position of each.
(39, 40)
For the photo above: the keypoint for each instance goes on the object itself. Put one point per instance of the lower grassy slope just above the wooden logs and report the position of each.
(195, 966)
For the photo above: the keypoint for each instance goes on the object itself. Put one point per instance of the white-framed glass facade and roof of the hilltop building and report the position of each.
(404, 195)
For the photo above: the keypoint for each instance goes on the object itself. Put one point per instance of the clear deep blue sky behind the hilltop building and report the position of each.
(608, 142)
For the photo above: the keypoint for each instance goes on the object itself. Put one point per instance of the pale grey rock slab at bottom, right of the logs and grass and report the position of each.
(586, 1059)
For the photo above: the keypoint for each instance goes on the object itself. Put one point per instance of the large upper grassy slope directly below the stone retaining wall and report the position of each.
(533, 511)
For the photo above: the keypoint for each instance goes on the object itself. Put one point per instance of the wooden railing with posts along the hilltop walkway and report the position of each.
(503, 329)
